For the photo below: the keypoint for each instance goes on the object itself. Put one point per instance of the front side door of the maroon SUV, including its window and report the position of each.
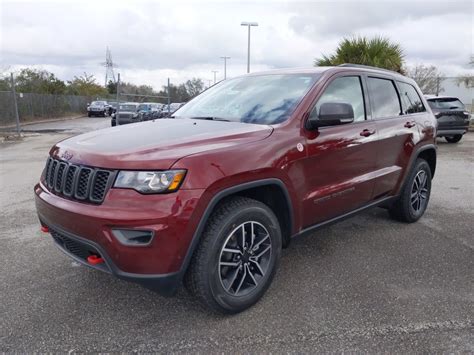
(341, 159)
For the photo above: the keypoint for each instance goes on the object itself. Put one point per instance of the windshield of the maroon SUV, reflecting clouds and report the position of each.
(262, 99)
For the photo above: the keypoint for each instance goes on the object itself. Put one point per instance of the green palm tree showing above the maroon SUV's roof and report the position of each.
(377, 52)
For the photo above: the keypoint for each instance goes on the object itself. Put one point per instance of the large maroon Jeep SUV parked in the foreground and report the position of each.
(211, 195)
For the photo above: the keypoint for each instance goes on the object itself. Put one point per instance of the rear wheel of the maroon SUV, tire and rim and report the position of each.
(415, 194)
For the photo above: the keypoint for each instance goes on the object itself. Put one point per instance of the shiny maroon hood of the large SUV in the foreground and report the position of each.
(155, 144)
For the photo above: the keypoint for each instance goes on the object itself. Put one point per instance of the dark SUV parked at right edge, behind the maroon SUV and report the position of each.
(452, 116)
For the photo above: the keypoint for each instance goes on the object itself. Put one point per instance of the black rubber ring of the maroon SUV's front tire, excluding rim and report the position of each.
(259, 214)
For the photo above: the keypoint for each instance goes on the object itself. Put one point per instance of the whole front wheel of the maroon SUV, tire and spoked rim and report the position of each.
(213, 275)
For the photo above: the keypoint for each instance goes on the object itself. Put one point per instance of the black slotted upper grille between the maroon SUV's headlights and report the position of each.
(77, 182)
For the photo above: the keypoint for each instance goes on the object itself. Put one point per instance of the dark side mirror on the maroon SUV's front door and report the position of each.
(331, 114)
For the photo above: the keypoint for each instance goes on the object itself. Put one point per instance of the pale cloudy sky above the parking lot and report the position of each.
(151, 41)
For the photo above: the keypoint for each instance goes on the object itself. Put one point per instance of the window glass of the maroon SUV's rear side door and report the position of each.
(385, 102)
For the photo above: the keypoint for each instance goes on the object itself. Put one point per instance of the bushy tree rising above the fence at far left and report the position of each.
(38, 81)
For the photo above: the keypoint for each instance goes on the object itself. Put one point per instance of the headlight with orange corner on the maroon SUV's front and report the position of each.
(149, 182)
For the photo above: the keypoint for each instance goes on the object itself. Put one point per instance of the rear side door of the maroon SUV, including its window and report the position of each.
(398, 133)
